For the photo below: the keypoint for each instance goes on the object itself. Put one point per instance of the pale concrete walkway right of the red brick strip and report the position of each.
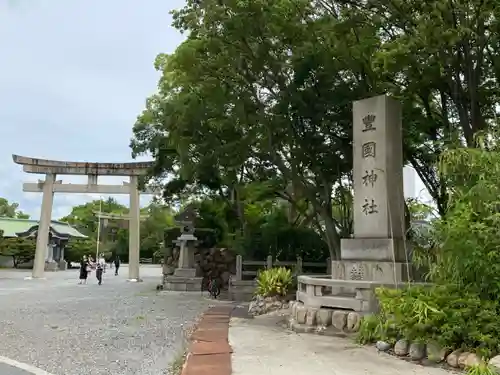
(263, 346)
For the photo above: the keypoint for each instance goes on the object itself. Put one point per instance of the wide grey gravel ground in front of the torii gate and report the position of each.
(117, 328)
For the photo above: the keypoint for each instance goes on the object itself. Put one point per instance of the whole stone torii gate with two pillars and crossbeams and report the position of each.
(49, 186)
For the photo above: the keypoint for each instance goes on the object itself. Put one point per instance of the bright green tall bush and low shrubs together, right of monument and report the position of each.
(462, 308)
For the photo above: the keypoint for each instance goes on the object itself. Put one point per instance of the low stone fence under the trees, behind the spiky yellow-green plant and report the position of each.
(298, 266)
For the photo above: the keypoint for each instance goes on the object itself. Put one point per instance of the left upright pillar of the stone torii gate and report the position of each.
(44, 226)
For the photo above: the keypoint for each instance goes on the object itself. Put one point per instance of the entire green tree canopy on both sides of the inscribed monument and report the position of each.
(261, 92)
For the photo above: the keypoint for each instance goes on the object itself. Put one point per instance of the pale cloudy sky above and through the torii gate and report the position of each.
(74, 75)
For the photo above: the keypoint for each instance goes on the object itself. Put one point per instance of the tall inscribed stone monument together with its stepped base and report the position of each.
(377, 251)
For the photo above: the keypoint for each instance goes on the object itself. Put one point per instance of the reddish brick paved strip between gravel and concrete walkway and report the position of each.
(209, 352)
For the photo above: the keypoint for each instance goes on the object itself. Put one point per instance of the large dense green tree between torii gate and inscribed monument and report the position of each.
(259, 91)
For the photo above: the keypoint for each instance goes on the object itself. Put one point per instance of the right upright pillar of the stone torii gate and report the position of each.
(134, 231)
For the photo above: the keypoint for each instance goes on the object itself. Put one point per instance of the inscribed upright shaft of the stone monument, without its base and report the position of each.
(378, 168)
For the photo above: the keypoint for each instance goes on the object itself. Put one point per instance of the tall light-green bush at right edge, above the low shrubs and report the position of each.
(468, 238)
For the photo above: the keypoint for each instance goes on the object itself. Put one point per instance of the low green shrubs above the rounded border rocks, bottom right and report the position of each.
(450, 316)
